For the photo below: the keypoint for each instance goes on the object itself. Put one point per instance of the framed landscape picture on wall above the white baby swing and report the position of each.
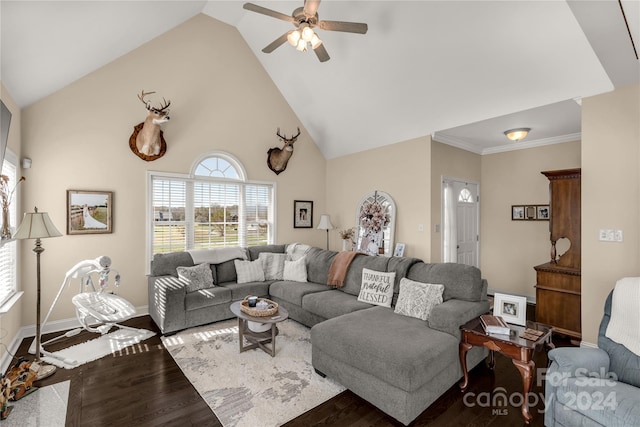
(89, 212)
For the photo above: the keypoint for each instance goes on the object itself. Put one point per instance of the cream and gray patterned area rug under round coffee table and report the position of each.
(251, 388)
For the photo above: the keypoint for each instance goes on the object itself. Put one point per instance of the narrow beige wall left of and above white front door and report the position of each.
(448, 161)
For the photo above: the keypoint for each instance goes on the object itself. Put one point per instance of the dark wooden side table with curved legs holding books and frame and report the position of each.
(519, 350)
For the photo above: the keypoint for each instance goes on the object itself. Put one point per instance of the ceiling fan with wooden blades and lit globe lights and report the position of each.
(305, 20)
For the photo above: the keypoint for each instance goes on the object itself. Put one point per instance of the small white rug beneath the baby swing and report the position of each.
(117, 343)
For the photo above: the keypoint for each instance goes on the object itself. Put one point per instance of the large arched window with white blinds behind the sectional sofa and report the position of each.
(213, 206)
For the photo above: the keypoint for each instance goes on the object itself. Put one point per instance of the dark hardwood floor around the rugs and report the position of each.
(145, 387)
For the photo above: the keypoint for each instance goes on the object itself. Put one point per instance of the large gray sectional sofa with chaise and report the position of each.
(401, 364)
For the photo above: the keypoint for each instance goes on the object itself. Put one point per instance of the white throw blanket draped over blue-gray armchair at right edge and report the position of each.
(624, 326)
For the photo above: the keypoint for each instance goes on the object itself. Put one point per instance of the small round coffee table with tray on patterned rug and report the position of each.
(258, 339)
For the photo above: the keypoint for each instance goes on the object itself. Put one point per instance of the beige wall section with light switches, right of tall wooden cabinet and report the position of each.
(610, 197)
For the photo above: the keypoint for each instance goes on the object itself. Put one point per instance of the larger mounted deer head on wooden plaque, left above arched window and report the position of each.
(147, 141)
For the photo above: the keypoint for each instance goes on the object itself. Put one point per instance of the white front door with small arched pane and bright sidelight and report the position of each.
(462, 210)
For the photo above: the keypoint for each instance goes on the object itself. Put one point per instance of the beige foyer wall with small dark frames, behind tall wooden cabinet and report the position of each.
(510, 249)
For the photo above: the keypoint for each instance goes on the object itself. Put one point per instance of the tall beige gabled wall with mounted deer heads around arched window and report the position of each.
(221, 99)
